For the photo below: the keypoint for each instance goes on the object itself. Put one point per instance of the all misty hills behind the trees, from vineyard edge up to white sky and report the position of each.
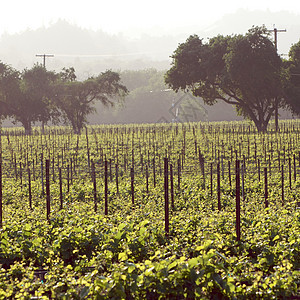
(141, 58)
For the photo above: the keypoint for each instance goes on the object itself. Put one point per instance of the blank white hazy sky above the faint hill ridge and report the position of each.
(115, 16)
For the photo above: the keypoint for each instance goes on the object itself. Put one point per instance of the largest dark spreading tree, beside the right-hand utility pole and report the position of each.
(242, 70)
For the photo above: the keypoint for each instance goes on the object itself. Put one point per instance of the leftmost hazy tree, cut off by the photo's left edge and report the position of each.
(26, 96)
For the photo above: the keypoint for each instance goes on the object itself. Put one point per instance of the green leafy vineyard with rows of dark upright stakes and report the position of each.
(162, 211)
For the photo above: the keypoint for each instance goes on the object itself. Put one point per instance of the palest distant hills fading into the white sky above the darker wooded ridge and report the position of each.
(91, 52)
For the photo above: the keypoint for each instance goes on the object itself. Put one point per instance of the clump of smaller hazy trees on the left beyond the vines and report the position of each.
(39, 95)
